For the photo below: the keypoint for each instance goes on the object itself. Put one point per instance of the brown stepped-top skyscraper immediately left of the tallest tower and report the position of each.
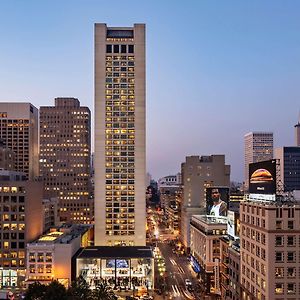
(65, 156)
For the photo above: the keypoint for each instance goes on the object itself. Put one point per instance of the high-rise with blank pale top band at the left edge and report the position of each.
(19, 132)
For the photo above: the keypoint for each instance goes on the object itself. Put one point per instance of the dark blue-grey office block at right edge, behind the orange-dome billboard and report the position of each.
(289, 158)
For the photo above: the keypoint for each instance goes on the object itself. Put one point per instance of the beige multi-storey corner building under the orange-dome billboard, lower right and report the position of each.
(270, 250)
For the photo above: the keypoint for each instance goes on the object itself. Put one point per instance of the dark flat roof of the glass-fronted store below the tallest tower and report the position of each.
(115, 252)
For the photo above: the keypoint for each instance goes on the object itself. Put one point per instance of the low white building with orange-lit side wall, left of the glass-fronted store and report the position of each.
(49, 257)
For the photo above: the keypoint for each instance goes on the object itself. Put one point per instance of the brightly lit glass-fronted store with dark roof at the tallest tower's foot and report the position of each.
(123, 268)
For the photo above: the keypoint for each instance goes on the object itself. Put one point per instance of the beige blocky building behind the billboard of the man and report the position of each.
(198, 173)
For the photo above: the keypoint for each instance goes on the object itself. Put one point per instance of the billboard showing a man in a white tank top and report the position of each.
(217, 201)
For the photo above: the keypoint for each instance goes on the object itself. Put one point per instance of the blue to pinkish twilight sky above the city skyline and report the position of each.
(215, 69)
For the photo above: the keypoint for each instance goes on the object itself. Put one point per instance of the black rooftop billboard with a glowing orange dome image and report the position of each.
(262, 177)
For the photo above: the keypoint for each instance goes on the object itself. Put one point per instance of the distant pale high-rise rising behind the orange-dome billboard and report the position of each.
(258, 147)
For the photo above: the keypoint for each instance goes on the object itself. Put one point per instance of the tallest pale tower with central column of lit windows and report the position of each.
(120, 215)
